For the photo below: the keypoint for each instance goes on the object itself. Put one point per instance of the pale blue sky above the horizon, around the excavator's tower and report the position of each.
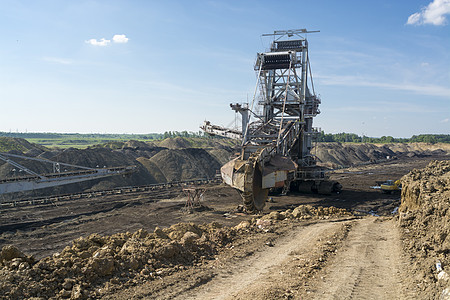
(380, 67)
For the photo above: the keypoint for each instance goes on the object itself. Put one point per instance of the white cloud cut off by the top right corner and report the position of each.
(433, 14)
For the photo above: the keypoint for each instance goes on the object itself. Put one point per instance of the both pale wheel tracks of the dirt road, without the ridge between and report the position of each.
(368, 265)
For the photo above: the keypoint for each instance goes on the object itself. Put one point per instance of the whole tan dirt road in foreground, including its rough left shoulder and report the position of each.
(334, 259)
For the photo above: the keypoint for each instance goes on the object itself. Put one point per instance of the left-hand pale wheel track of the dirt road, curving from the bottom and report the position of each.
(235, 278)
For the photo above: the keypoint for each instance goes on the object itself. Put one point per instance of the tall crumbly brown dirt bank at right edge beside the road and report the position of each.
(425, 222)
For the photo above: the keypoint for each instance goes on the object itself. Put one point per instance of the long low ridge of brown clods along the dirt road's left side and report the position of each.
(96, 266)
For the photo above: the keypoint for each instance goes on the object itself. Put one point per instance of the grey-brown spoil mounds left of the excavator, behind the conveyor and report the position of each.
(170, 160)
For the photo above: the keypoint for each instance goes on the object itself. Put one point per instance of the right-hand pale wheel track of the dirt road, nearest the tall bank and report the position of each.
(368, 266)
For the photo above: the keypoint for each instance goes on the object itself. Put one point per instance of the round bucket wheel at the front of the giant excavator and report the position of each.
(254, 195)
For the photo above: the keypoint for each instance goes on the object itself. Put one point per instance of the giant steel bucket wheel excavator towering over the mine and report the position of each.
(277, 135)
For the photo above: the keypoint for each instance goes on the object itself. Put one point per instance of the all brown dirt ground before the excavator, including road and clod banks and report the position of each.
(147, 245)
